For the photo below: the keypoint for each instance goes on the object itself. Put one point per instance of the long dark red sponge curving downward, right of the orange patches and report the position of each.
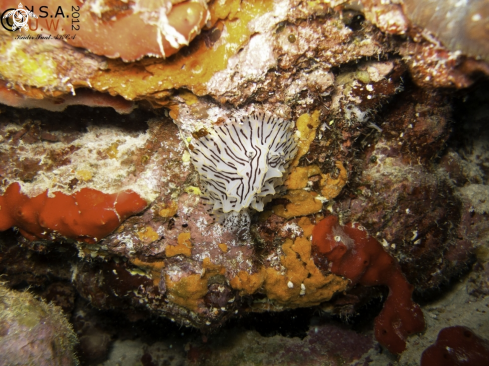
(351, 253)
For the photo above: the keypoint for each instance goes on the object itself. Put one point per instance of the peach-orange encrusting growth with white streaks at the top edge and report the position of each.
(129, 30)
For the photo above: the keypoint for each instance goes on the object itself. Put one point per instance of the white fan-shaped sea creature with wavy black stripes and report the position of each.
(243, 161)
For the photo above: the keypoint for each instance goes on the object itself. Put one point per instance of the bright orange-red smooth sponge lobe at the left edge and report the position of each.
(87, 215)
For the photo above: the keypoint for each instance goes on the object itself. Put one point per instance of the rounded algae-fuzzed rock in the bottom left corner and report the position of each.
(33, 332)
